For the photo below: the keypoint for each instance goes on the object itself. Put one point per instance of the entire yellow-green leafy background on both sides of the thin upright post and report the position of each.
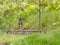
(12, 10)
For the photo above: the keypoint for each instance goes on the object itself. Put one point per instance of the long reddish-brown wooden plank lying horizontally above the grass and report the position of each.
(22, 31)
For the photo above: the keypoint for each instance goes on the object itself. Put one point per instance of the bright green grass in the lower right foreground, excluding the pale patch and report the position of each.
(52, 38)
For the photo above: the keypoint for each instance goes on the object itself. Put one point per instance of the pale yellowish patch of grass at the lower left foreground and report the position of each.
(10, 39)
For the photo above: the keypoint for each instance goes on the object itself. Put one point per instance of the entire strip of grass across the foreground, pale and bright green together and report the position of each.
(50, 38)
